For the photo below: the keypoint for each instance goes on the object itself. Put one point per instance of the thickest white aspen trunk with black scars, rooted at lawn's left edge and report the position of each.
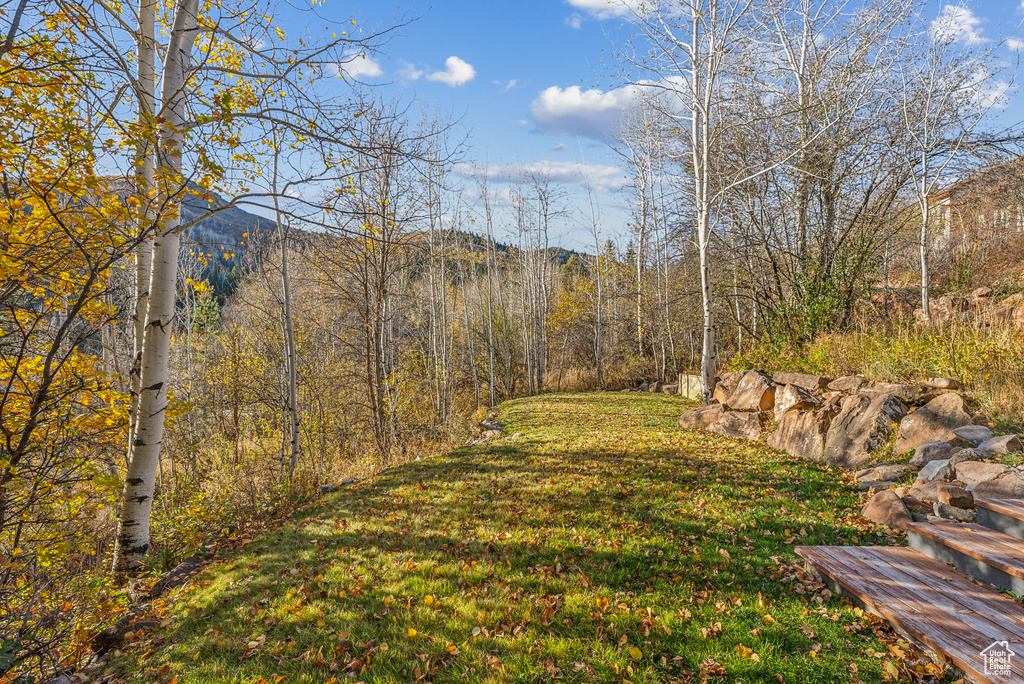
(133, 542)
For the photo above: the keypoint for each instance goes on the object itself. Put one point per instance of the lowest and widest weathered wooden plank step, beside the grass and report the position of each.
(934, 607)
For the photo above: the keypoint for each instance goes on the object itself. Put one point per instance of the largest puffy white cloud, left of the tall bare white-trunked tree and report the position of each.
(593, 114)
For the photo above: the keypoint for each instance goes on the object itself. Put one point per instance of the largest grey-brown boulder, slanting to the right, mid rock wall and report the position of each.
(862, 429)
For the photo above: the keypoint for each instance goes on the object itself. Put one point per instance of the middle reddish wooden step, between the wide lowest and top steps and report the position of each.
(984, 553)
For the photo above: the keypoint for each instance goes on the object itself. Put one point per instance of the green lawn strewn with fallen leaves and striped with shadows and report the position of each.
(605, 546)
